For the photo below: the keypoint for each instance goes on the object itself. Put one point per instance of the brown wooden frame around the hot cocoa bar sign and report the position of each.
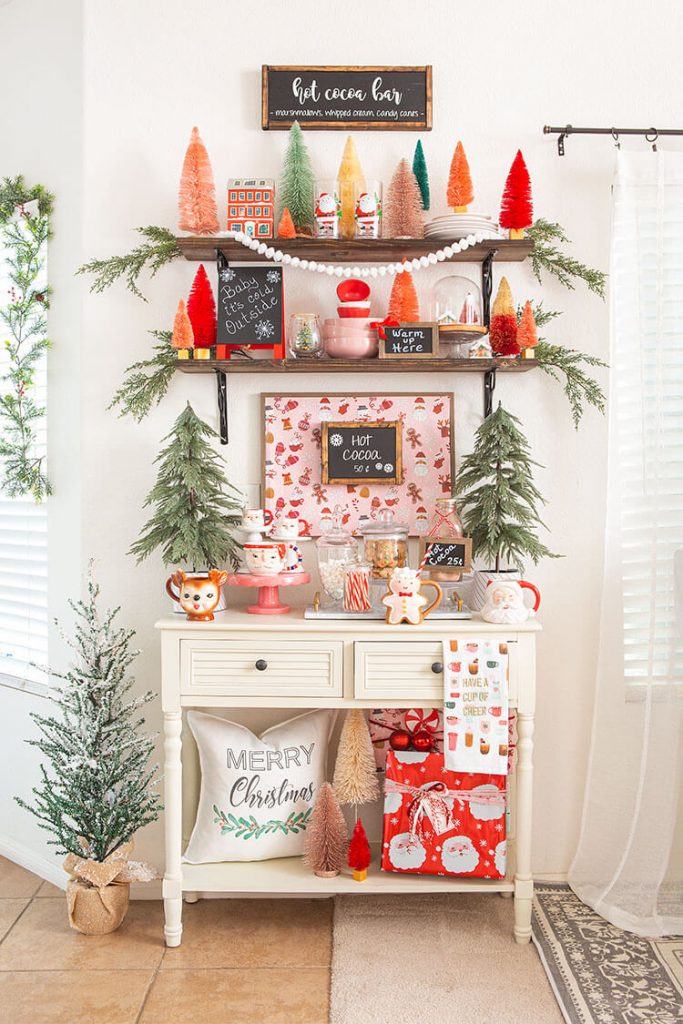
(365, 124)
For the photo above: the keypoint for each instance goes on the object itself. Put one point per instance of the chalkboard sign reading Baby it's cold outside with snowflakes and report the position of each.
(250, 306)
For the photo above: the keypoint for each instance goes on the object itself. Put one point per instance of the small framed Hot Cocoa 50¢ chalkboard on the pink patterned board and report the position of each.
(363, 452)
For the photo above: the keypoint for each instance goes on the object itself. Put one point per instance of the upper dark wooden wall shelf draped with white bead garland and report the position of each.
(356, 251)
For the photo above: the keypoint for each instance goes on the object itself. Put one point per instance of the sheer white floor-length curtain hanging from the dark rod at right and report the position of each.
(626, 867)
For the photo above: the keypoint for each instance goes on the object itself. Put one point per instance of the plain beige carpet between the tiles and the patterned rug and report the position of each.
(417, 960)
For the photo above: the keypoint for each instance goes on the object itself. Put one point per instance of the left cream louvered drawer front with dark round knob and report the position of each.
(274, 668)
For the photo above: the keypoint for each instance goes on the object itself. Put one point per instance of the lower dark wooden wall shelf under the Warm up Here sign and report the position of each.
(240, 366)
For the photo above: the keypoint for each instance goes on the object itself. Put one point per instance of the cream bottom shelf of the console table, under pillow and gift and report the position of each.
(289, 875)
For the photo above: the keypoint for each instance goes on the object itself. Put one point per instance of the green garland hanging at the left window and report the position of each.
(25, 318)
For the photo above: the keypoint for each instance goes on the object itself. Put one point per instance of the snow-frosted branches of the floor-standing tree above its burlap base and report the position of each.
(98, 788)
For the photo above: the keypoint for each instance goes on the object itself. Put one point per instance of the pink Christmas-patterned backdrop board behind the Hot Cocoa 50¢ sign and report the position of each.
(293, 468)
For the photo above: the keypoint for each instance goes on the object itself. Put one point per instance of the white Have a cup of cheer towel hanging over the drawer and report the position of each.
(476, 706)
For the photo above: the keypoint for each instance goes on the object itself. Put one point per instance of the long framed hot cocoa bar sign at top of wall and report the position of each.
(348, 98)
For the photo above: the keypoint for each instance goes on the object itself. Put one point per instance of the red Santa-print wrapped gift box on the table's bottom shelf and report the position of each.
(442, 823)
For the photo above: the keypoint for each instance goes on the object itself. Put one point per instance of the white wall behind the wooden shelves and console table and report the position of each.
(153, 70)
